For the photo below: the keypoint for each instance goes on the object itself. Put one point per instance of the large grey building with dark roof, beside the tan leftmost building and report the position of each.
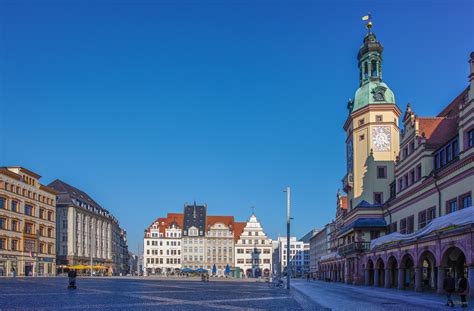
(85, 231)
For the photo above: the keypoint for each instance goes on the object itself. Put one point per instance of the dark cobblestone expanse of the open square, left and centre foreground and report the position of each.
(145, 294)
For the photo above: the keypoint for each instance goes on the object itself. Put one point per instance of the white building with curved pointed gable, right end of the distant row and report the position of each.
(253, 250)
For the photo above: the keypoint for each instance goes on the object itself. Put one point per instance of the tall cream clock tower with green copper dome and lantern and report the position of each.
(372, 131)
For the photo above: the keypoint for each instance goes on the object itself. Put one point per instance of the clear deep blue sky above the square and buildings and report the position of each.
(146, 105)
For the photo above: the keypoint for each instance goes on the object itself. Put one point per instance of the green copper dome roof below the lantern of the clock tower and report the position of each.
(372, 93)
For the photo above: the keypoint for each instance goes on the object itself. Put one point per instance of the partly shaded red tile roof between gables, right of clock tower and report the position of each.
(438, 130)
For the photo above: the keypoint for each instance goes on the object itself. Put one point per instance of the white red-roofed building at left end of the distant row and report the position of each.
(162, 245)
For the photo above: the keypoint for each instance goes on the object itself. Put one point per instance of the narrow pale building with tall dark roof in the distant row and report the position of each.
(194, 236)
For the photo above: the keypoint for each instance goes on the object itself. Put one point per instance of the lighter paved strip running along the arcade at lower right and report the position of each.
(337, 296)
